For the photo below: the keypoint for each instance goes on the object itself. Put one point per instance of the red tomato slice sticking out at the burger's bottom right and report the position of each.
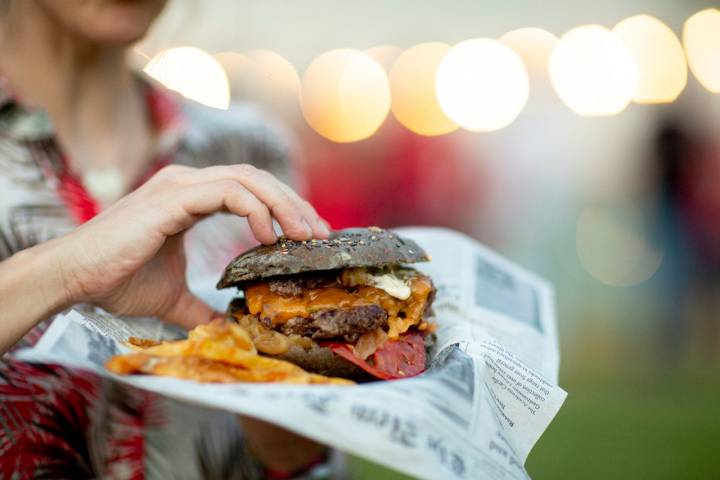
(401, 358)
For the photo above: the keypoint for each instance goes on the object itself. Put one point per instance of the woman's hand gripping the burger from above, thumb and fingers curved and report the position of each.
(129, 260)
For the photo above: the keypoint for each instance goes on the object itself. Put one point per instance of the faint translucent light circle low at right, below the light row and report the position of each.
(613, 248)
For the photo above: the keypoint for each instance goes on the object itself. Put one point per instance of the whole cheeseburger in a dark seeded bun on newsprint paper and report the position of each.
(349, 306)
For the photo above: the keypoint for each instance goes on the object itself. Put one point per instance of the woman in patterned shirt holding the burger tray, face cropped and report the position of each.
(100, 174)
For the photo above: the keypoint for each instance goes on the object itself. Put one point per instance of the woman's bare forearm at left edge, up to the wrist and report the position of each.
(32, 288)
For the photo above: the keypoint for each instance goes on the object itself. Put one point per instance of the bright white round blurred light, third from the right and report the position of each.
(593, 72)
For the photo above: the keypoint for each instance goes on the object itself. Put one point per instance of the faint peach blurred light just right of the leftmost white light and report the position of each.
(262, 75)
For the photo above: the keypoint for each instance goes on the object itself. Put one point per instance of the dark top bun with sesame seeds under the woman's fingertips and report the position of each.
(352, 247)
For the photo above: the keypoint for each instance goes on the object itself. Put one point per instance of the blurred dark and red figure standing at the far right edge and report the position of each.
(688, 207)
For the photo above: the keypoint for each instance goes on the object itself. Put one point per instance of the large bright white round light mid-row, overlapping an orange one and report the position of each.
(482, 85)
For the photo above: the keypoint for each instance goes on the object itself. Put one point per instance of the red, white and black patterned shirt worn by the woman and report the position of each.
(61, 423)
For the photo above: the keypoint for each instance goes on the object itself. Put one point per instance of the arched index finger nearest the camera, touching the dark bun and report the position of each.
(195, 201)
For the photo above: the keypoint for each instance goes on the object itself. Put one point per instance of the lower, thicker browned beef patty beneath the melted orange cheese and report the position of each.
(347, 324)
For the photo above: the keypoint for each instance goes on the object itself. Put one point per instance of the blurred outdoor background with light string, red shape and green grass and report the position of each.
(580, 139)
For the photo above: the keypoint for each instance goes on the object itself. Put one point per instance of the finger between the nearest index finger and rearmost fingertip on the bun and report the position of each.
(267, 189)
